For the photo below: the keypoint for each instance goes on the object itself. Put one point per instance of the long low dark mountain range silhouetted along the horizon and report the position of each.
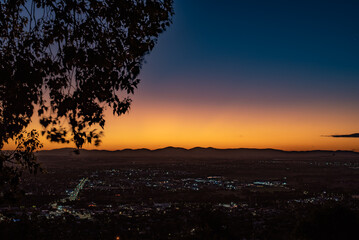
(198, 152)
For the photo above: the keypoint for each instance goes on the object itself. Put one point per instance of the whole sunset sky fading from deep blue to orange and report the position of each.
(258, 74)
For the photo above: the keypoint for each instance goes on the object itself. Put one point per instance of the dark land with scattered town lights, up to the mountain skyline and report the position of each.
(188, 194)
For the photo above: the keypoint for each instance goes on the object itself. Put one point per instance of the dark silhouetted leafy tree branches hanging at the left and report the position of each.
(69, 60)
